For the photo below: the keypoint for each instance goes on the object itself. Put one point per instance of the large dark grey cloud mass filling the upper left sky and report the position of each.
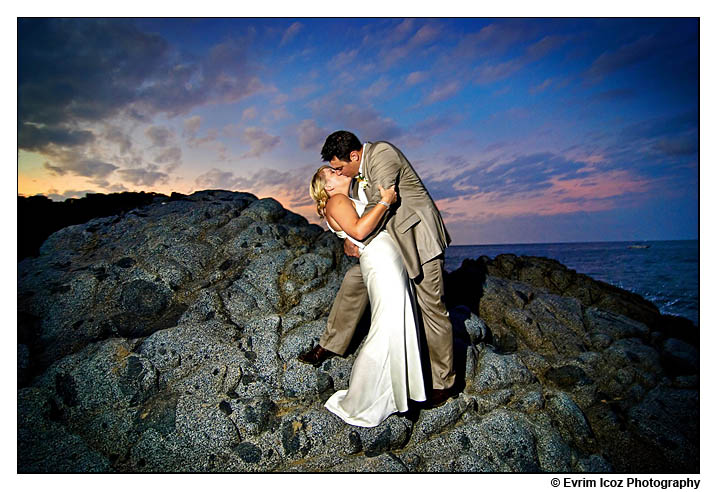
(100, 68)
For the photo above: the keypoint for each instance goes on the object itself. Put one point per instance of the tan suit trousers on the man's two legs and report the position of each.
(352, 299)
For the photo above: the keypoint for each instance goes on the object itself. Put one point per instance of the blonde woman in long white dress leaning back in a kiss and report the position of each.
(387, 370)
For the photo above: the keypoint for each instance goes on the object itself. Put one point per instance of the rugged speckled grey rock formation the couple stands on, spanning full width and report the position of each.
(165, 339)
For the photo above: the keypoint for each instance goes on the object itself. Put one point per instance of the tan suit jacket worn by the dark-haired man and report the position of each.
(414, 221)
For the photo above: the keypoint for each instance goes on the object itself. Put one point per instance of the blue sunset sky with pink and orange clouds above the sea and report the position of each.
(522, 129)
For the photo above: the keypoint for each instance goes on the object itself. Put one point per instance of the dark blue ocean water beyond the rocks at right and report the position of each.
(665, 273)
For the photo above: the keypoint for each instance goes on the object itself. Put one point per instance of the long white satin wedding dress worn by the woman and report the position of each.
(387, 370)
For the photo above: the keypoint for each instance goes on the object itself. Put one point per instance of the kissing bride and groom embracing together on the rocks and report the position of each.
(372, 198)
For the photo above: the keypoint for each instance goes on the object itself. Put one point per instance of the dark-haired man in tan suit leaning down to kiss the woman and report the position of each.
(419, 233)
